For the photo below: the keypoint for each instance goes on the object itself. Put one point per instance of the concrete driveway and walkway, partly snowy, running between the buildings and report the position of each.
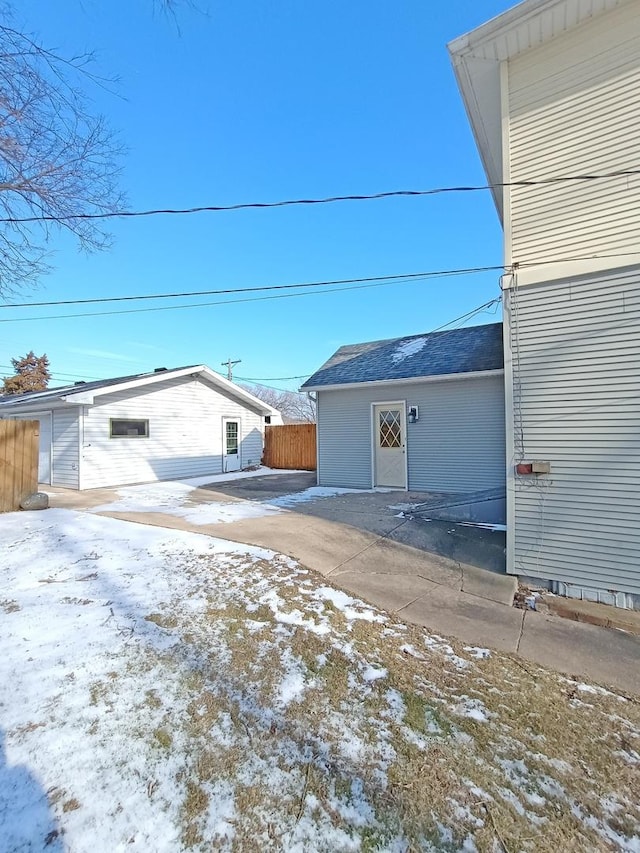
(444, 576)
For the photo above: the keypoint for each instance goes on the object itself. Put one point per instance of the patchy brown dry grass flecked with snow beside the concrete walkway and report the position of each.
(375, 731)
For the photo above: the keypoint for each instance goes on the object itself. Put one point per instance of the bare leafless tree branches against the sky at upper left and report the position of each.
(57, 159)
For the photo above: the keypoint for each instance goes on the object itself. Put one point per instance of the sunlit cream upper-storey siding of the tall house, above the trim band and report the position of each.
(574, 110)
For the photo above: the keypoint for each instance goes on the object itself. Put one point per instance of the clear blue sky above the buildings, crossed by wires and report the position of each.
(259, 101)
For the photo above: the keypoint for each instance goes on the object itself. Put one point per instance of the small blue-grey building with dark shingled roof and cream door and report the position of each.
(423, 413)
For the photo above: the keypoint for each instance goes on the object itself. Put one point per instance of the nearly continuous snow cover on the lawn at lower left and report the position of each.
(83, 586)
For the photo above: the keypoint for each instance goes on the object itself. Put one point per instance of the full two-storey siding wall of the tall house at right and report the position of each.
(572, 357)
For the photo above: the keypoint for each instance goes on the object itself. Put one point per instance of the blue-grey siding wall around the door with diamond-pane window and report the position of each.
(457, 445)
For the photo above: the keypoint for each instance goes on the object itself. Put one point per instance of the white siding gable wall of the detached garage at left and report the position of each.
(185, 434)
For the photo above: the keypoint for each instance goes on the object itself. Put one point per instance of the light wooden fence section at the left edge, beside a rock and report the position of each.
(19, 447)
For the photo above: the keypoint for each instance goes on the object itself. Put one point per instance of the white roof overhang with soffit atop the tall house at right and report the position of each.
(477, 58)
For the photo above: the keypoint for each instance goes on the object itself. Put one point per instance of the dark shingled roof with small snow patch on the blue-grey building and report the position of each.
(468, 350)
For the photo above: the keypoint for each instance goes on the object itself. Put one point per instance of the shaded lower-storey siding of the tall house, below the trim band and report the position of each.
(576, 364)
